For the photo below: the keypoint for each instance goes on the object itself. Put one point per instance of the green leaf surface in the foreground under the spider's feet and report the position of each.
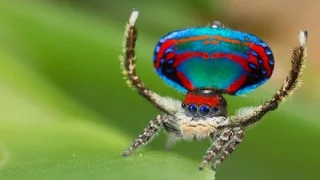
(157, 166)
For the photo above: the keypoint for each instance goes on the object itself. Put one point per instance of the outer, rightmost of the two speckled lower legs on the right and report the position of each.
(236, 139)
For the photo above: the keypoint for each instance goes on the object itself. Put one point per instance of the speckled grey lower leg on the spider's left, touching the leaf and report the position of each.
(148, 133)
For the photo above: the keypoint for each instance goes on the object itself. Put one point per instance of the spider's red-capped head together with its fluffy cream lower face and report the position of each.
(202, 111)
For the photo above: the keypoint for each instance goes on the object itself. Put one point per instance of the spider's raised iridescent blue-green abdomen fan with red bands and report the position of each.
(221, 59)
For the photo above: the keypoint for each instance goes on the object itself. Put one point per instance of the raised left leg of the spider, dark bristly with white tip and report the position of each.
(128, 65)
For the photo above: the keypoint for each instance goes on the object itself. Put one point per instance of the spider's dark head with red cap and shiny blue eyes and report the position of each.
(201, 103)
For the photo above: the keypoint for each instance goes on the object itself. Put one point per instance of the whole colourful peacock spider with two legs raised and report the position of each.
(204, 63)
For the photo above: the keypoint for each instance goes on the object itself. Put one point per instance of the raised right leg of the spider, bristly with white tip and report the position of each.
(248, 116)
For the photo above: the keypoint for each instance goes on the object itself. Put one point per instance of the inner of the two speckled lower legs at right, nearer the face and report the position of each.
(218, 142)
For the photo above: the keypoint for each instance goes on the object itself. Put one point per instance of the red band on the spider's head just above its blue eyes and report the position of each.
(198, 99)
